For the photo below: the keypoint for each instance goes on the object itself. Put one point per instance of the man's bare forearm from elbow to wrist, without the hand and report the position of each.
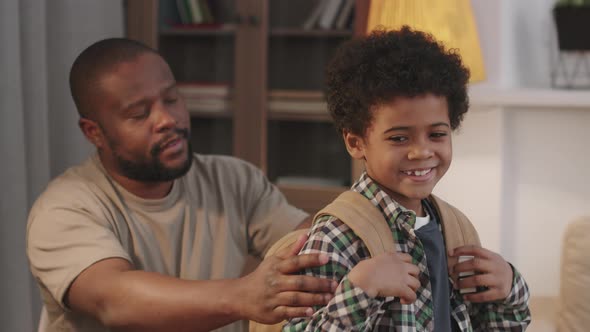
(144, 301)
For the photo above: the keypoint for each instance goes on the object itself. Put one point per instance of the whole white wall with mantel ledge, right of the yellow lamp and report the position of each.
(521, 161)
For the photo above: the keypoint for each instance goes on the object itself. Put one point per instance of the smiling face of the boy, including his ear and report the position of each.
(407, 148)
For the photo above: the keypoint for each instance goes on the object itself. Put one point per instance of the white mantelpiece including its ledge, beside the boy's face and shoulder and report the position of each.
(520, 172)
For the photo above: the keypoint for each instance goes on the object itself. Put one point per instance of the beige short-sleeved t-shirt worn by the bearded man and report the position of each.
(222, 210)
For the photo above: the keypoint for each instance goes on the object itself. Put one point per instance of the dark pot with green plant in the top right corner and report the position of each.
(572, 19)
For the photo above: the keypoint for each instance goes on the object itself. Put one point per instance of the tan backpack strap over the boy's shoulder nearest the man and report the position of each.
(365, 220)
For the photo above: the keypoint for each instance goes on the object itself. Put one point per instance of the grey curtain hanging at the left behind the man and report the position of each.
(39, 137)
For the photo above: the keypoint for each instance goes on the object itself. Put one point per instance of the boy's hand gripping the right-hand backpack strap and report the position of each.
(491, 271)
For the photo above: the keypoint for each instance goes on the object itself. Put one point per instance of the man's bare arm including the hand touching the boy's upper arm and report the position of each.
(124, 299)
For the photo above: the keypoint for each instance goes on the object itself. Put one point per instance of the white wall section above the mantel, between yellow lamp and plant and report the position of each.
(518, 42)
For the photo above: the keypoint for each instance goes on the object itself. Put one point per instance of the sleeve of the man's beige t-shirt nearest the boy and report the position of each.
(269, 214)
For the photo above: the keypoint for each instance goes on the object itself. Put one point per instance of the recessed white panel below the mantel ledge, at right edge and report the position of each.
(552, 187)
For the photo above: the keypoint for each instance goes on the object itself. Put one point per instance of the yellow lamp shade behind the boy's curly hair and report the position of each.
(450, 21)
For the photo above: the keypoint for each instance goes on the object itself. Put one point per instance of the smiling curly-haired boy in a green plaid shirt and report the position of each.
(396, 97)
